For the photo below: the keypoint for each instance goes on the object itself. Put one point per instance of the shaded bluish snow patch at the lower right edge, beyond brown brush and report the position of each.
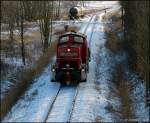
(138, 96)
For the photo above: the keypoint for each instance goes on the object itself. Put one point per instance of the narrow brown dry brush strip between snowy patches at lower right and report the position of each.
(123, 93)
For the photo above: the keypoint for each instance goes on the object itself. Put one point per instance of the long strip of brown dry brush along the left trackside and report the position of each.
(24, 80)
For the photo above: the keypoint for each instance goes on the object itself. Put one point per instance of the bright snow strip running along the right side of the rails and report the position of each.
(92, 99)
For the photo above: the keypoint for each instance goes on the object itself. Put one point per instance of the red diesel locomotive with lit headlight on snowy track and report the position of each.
(72, 60)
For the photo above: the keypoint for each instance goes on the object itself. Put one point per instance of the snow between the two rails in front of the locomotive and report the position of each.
(63, 105)
